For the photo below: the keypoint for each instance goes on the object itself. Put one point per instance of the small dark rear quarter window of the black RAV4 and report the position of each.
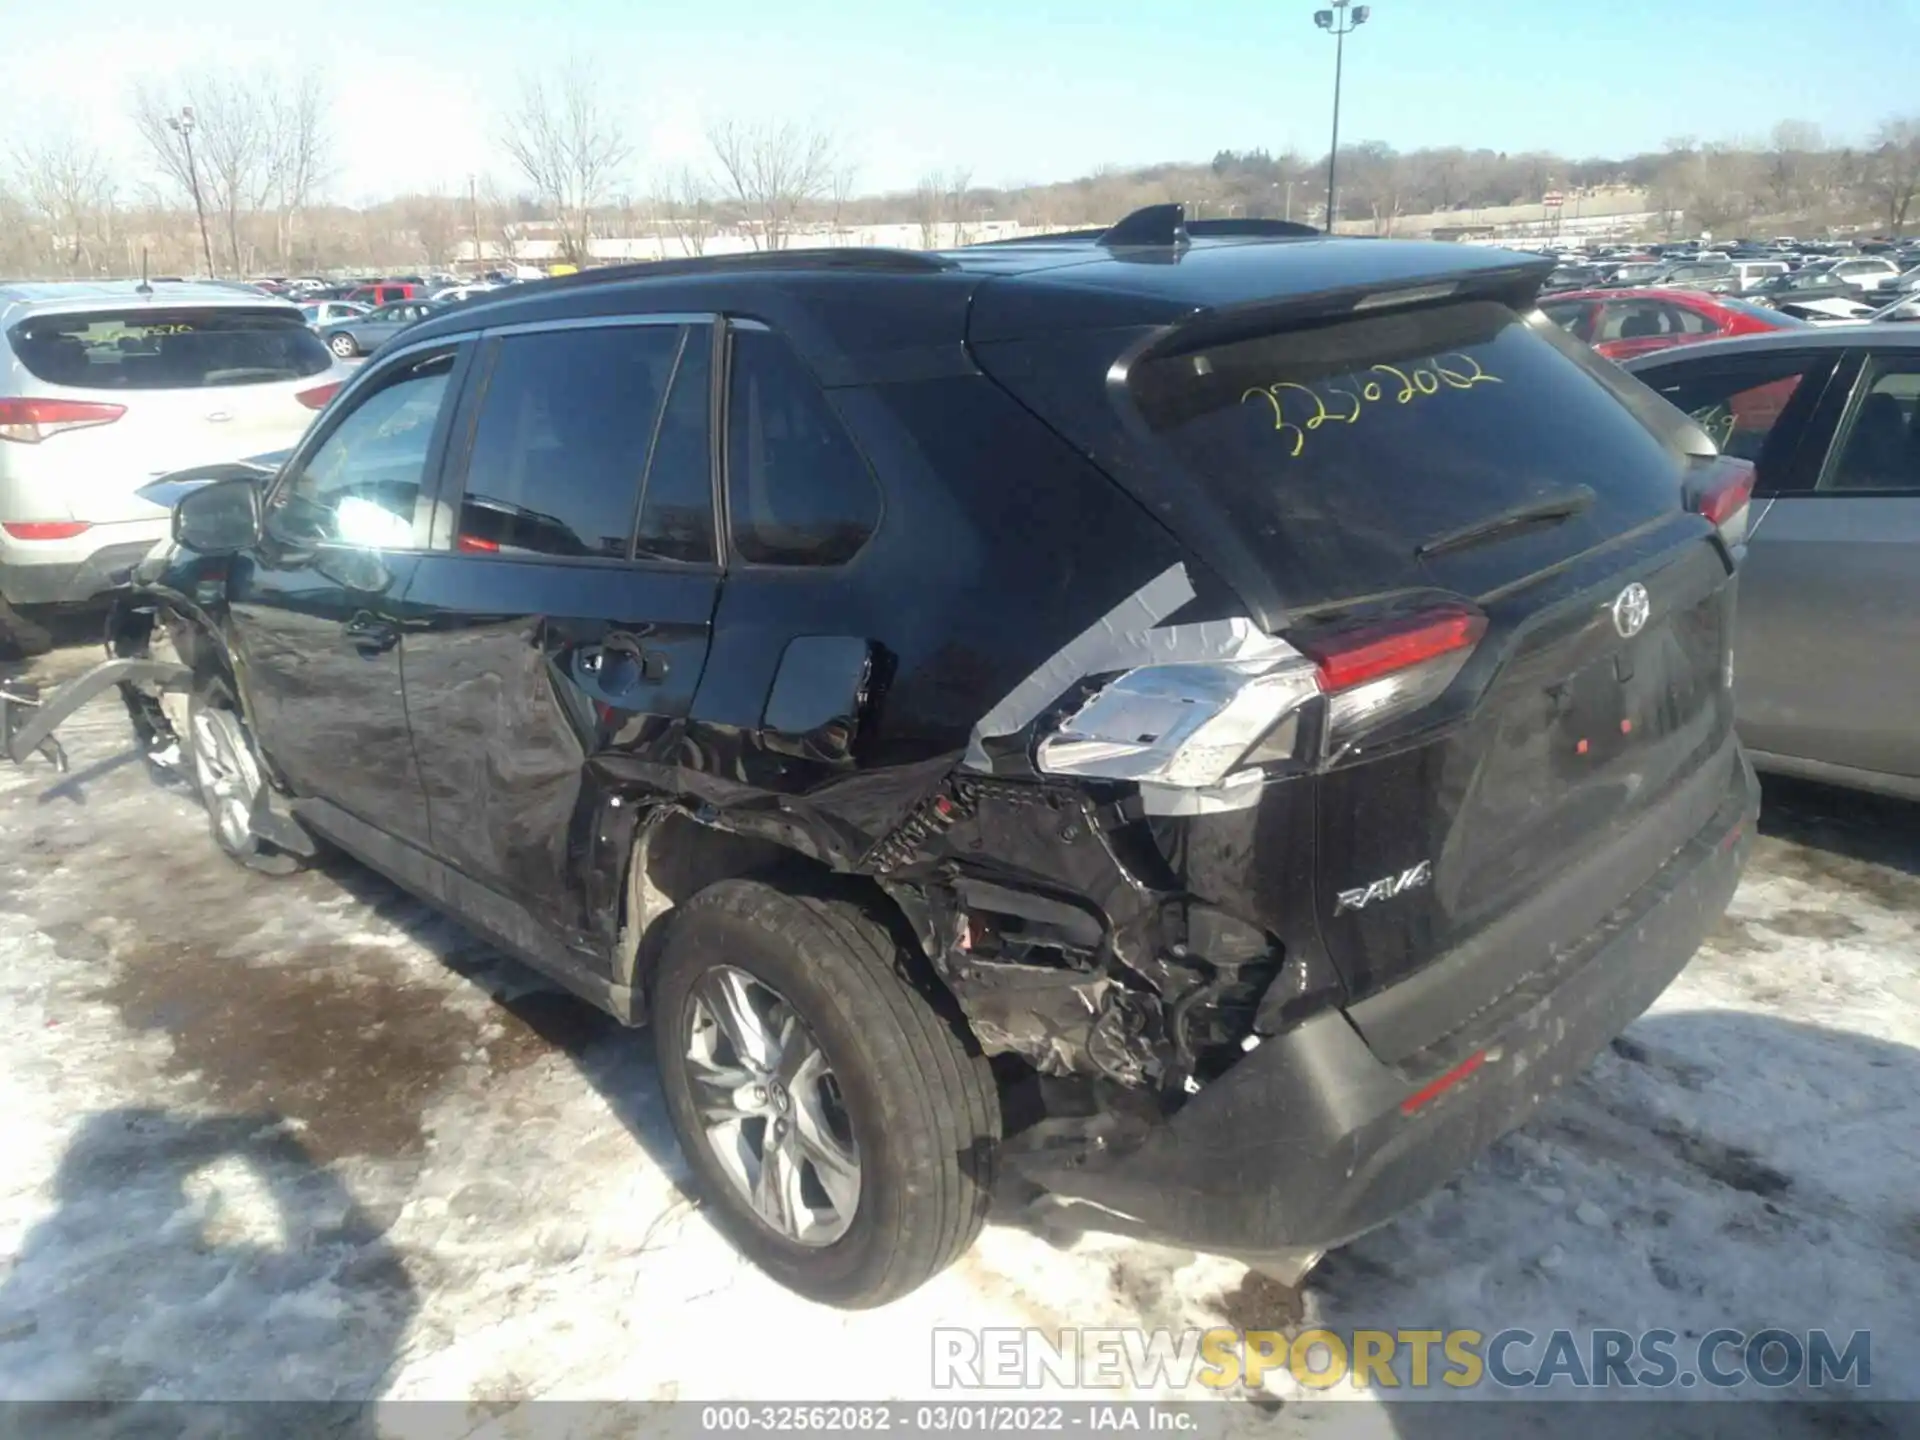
(798, 491)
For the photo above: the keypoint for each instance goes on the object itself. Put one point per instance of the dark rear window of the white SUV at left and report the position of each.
(168, 350)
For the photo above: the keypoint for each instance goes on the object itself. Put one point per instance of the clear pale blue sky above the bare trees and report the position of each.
(1009, 89)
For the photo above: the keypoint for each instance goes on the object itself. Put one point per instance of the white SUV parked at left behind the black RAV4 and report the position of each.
(107, 387)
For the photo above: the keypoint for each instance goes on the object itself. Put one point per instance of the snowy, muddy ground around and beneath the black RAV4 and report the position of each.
(308, 1140)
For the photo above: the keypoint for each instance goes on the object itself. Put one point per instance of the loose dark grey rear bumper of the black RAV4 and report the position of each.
(1314, 1140)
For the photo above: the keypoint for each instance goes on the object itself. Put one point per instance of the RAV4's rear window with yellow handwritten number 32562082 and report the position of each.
(1347, 448)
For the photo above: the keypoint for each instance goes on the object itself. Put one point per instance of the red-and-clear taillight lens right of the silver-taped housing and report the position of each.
(1383, 671)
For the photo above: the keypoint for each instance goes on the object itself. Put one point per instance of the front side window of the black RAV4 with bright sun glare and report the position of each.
(364, 483)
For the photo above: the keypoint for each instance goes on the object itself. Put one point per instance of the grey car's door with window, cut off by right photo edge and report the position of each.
(1831, 596)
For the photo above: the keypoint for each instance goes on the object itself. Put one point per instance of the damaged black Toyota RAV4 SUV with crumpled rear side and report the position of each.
(1209, 719)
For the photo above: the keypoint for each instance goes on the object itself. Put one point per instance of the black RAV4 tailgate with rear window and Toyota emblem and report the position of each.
(1462, 456)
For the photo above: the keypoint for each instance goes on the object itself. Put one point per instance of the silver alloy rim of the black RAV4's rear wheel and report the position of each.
(771, 1107)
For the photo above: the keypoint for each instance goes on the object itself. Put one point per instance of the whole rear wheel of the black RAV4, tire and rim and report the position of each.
(836, 1120)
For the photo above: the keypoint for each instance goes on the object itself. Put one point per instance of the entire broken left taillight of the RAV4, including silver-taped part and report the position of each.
(1195, 725)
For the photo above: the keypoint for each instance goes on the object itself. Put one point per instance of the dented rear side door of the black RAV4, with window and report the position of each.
(560, 627)
